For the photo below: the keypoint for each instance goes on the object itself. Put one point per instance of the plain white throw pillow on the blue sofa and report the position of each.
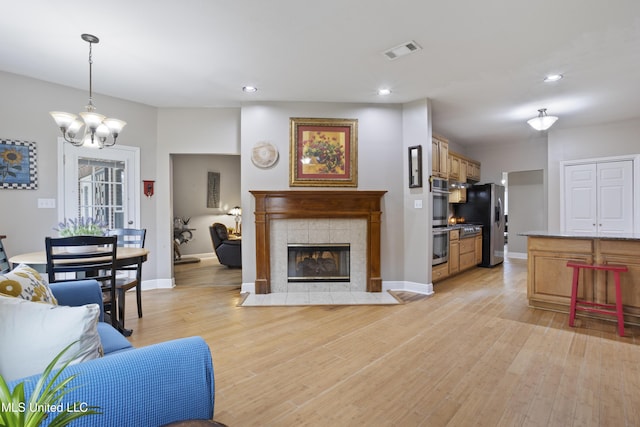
(32, 334)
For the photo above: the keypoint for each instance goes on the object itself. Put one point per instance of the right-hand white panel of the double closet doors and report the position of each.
(615, 197)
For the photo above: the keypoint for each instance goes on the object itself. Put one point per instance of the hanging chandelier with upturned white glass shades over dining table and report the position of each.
(97, 128)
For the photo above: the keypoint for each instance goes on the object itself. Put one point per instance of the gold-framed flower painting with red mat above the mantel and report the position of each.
(323, 152)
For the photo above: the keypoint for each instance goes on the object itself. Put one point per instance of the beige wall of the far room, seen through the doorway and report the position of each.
(190, 178)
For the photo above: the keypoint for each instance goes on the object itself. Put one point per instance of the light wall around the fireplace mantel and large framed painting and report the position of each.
(380, 167)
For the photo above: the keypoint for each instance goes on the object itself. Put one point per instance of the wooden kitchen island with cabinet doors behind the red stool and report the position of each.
(549, 278)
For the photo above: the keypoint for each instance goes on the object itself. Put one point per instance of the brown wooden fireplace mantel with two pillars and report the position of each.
(317, 204)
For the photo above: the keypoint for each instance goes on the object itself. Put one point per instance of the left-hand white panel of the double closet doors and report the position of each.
(580, 183)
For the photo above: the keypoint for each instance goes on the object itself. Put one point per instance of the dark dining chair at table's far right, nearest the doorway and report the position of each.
(133, 238)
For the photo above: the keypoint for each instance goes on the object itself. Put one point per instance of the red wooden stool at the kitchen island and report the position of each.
(594, 307)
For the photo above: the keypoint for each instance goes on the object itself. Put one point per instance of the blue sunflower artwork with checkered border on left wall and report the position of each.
(18, 166)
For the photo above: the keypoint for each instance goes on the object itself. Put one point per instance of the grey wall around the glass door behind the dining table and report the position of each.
(24, 115)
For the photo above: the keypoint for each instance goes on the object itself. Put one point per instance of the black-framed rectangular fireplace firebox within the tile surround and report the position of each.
(310, 262)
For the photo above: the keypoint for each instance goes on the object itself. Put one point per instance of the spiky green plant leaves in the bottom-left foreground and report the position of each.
(19, 412)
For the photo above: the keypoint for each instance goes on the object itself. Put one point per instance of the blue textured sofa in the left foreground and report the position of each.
(149, 386)
